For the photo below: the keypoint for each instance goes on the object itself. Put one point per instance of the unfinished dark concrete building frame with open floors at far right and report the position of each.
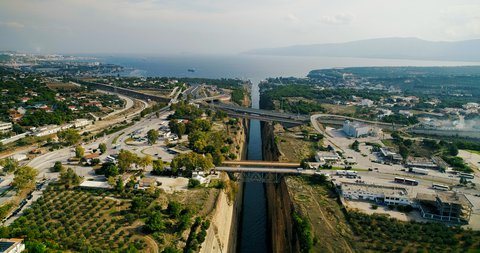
(445, 206)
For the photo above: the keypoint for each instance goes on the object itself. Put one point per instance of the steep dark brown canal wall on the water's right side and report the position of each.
(282, 236)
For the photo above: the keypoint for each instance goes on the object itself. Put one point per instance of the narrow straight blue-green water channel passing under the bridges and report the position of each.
(253, 232)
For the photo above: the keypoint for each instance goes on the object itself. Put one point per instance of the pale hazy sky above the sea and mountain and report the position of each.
(224, 26)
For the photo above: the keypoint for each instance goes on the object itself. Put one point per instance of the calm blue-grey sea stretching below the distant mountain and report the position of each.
(248, 67)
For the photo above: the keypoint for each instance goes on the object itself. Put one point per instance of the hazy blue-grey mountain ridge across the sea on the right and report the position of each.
(388, 48)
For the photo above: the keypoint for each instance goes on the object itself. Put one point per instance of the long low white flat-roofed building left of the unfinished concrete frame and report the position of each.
(378, 193)
